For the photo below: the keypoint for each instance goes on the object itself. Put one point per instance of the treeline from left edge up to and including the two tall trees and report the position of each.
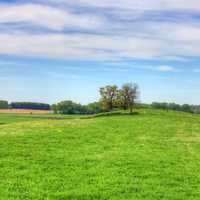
(112, 98)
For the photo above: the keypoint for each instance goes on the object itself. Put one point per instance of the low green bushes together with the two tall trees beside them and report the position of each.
(112, 98)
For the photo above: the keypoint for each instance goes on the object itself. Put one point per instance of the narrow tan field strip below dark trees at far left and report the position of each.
(24, 111)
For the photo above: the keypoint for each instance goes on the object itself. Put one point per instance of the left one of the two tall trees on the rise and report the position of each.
(109, 95)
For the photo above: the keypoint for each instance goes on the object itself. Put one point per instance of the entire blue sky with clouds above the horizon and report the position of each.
(53, 50)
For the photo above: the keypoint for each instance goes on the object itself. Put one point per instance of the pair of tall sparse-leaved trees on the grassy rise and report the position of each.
(113, 97)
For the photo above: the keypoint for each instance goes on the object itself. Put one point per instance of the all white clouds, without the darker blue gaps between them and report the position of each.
(135, 40)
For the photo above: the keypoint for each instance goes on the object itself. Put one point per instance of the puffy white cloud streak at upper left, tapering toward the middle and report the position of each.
(47, 16)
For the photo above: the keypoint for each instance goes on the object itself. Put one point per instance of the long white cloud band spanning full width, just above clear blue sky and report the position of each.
(93, 47)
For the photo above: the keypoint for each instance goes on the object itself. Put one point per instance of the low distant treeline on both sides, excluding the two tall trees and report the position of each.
(70, 107)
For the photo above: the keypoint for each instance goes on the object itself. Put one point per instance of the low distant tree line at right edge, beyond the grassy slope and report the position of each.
(177, 107)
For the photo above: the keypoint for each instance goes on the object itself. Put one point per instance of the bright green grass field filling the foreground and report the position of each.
(153, 155)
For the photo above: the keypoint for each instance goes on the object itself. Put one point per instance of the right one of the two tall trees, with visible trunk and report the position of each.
(128, 96)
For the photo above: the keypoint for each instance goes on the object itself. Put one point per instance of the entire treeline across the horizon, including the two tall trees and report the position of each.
(112, 98)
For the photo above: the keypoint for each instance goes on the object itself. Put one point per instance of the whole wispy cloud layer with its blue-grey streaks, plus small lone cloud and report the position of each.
(123, 29)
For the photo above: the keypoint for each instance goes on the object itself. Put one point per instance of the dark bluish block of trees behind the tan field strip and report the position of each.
(30, 105)
